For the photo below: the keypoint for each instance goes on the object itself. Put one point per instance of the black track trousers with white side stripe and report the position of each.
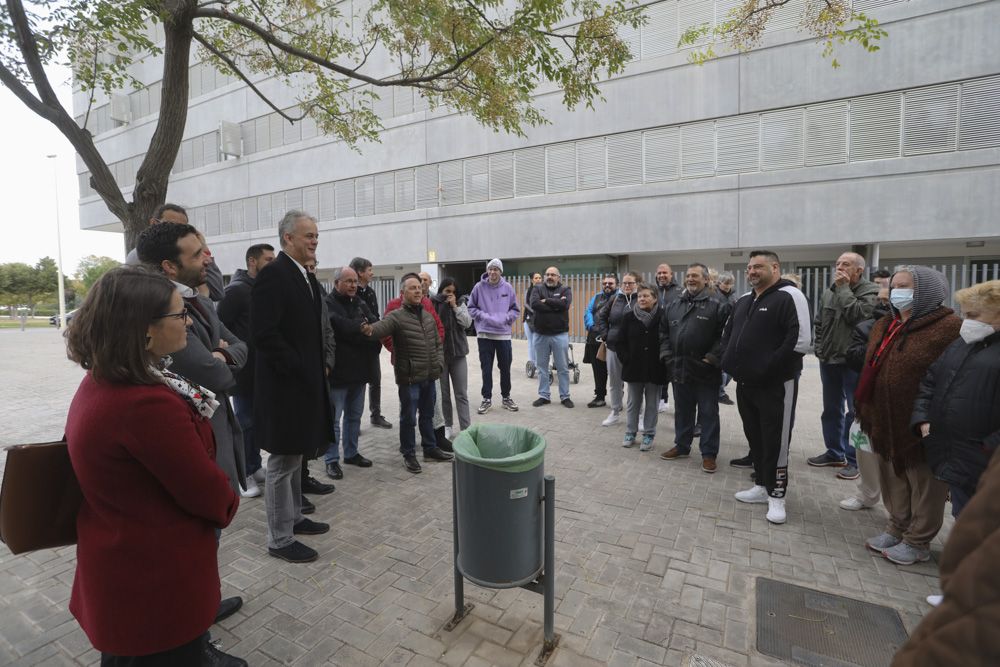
(768, 414)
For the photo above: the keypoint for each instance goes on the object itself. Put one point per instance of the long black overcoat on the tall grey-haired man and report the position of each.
(291, 398)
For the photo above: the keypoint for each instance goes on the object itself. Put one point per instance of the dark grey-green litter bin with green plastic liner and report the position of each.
(499, 473)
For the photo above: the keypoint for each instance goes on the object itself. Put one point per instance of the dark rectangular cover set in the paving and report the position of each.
(817, 629)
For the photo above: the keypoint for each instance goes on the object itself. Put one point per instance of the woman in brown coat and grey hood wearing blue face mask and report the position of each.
(900, 350)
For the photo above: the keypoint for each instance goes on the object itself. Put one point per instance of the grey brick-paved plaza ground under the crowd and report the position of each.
(656, 561)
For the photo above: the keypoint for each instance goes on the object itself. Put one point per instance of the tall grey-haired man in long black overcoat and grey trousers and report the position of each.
(291, 400)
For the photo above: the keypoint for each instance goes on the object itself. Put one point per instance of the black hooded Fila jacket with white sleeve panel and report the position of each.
(767, 336)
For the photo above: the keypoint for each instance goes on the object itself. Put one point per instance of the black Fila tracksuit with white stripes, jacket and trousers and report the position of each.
(764, 341)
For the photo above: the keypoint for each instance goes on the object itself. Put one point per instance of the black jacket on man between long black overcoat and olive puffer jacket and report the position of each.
(354, 349)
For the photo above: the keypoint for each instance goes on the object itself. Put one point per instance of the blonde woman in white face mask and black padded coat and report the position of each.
(956, 412)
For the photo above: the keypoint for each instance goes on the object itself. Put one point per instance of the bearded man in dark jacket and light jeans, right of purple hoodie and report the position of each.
(551, 302)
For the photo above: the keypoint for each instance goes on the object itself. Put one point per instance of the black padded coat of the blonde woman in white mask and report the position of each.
(960, 396)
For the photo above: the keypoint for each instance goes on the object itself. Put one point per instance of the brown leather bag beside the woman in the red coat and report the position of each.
(40, 498)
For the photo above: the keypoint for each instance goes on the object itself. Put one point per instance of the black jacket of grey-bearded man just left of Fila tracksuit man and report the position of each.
(690, 332)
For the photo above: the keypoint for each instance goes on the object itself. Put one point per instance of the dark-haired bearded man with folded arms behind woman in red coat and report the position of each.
(213, 355)
